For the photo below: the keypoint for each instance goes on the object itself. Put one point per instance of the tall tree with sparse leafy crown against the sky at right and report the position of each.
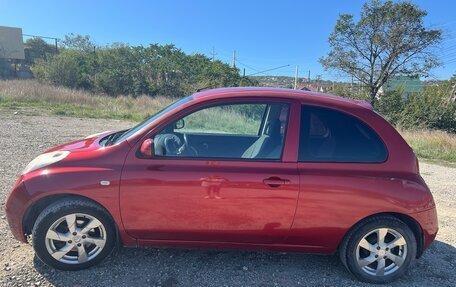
(389, 39)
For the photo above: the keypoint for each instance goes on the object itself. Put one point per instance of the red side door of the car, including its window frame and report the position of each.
(245, 196)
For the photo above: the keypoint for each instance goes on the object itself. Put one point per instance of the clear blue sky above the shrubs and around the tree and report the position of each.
(265, 34)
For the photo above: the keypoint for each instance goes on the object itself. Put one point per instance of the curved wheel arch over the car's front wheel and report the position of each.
(34, 209)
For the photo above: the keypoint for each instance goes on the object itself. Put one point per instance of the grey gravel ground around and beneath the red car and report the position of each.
(25, 133)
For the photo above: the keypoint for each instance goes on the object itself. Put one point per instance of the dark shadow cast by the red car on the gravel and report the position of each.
(196, 267)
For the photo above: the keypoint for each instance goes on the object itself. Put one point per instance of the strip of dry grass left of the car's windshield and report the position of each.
(64, 101)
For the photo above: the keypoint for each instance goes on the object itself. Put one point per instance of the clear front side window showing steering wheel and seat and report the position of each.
(247, 131)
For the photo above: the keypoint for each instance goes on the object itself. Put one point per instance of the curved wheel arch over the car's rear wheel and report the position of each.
(408, 220)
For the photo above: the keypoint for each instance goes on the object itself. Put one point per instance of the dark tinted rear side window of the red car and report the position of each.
(329, 135)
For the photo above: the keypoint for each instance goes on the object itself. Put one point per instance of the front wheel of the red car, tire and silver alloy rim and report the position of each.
(86, 241)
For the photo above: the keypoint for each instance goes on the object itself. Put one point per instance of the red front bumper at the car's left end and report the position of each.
(14, 208)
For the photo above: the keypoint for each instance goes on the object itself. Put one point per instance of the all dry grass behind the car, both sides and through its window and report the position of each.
(431, 145)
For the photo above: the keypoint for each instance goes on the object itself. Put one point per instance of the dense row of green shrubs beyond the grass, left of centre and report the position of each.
(121, 69)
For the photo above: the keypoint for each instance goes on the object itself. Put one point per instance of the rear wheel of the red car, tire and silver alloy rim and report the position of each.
(379, 261)
